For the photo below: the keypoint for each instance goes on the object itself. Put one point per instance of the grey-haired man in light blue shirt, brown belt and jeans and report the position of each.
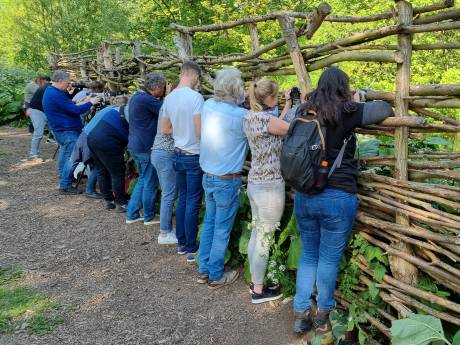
(223, 149)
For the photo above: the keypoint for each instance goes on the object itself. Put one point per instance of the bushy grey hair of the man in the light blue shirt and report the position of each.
(228, 86)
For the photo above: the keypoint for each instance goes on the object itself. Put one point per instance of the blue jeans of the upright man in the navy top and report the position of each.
(145, 191)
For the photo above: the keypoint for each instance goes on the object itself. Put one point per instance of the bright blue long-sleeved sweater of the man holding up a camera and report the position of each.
(61, 112)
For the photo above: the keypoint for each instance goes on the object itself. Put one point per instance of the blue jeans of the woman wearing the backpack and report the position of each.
(325, 221)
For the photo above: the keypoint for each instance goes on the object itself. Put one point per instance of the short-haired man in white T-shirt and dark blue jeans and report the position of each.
(181, 117)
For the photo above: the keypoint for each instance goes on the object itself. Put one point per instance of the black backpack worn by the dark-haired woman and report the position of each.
(303, 150)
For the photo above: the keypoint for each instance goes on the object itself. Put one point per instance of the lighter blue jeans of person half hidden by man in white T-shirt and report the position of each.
(162, 161)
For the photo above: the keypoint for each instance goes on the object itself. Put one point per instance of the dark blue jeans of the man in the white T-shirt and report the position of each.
(190, 192)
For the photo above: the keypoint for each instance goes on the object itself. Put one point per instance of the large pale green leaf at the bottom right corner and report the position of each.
(417, 329)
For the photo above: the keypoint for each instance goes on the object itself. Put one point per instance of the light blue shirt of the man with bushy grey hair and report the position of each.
(223, 145)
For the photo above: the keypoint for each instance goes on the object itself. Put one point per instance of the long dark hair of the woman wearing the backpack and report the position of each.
(331, 97)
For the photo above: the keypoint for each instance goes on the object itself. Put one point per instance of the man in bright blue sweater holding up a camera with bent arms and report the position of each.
(64, 121)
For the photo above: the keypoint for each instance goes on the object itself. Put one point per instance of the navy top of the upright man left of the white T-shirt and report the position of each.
(143, 120)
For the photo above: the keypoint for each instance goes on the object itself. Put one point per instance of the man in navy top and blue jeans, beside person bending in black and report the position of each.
(144, 107)
